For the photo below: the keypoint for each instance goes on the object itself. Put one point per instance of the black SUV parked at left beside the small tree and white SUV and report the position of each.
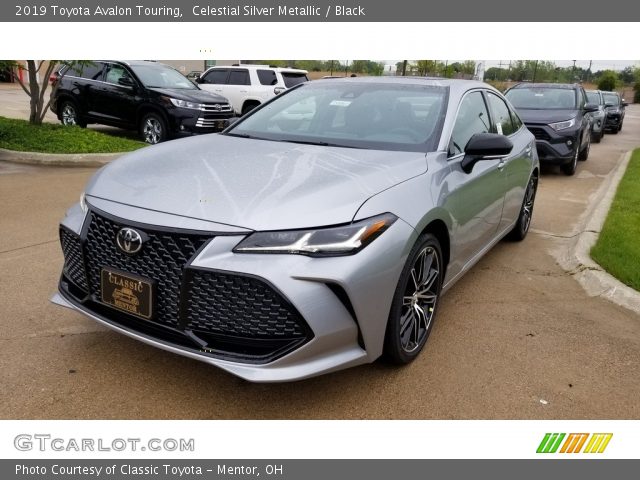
(150, 97)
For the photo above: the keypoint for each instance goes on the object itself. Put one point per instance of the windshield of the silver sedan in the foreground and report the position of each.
(349, 114)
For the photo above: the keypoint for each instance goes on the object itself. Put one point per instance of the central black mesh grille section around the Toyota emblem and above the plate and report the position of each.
(163, 258)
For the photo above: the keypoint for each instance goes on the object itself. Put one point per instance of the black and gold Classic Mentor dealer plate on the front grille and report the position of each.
(127, 292)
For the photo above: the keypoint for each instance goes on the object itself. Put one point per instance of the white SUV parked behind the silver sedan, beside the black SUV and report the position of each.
(247, 86)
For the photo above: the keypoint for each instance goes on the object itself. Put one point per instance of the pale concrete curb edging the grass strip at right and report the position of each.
(574, 254)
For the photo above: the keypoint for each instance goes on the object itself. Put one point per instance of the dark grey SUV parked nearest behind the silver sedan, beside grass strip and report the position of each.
(559, 117)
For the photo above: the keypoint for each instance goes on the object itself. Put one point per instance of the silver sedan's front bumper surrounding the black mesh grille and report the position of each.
(343, 302)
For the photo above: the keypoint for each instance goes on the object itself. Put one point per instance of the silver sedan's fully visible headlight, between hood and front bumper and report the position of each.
(323, 242)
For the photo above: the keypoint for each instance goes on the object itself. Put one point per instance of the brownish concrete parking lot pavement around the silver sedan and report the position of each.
(516, 338)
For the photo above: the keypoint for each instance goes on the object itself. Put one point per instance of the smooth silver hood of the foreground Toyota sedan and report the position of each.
(253, 184)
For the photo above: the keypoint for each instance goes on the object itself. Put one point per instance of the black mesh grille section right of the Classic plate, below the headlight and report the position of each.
(241, 306)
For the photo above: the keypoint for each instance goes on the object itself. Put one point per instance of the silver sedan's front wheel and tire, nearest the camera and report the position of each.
(411, 317)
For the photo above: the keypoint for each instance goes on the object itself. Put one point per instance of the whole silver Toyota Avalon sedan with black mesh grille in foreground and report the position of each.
(316, 233)
